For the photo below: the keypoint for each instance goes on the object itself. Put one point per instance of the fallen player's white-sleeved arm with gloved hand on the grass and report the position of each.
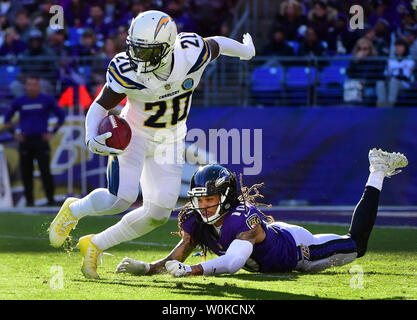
(233, 260)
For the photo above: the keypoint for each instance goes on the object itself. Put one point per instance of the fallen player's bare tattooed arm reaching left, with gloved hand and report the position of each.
(183, 249)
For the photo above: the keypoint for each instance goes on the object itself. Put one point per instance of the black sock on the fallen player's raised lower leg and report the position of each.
(363, 219)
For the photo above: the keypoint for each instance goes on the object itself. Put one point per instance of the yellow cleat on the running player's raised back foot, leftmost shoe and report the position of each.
(62, 225)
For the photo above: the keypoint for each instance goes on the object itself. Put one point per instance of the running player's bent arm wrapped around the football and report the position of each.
(105, 101)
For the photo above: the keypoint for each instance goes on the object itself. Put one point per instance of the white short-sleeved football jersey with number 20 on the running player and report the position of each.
(158, 109)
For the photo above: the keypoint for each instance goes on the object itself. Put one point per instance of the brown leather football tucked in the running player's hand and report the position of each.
(120, 129)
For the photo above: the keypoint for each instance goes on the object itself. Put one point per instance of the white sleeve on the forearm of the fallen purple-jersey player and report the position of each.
(233, 260)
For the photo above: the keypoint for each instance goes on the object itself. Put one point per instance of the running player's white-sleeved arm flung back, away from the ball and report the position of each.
(232, 48)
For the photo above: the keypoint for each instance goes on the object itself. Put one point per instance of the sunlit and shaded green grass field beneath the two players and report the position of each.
(32, 270)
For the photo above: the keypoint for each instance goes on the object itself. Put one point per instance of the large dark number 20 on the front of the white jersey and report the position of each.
(179, 105)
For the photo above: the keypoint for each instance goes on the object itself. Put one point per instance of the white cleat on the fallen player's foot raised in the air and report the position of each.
(387, 162)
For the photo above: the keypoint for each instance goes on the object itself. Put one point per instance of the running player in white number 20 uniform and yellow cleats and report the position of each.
(158, 74)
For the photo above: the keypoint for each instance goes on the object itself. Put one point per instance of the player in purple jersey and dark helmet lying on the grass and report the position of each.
(242, 237)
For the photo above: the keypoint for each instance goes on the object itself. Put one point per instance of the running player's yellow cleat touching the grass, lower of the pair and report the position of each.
(90, 255)
